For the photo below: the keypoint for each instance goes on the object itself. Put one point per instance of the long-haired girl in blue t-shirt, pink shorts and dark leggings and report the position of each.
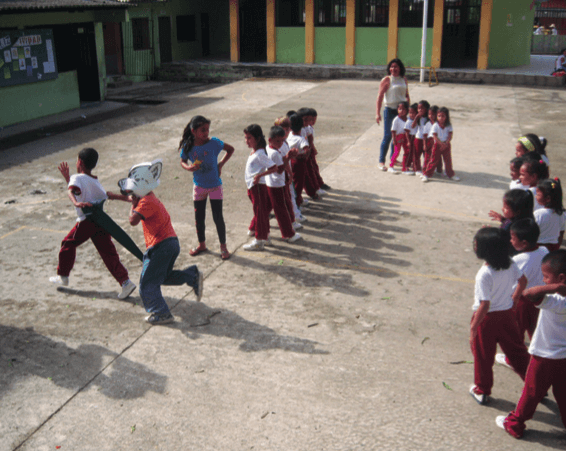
(199, 155)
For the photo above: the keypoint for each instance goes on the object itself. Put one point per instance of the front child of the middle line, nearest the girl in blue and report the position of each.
(257, 167)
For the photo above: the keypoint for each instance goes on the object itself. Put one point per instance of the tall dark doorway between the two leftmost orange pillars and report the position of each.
(253, 31)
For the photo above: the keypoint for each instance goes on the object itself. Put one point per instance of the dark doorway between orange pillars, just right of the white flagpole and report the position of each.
(460, 38)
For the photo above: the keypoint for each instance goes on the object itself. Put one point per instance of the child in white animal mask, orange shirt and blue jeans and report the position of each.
(161, 242)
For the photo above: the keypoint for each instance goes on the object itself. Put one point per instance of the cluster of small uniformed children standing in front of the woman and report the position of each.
(422, 131)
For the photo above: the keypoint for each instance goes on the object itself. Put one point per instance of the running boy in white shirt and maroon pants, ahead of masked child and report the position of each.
(84, 190)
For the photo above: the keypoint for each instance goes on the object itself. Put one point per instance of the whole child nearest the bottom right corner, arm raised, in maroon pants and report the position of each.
(548, 347)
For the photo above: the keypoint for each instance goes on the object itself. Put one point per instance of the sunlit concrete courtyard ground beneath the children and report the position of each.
(354, 338)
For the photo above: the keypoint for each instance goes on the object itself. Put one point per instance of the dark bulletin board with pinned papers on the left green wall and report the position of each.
(27, 56)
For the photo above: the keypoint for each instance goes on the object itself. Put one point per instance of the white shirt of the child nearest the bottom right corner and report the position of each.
(549, 339)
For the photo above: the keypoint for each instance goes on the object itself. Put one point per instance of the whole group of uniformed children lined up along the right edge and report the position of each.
(522, 288)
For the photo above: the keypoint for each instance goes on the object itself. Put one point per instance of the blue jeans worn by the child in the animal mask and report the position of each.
(158, 270)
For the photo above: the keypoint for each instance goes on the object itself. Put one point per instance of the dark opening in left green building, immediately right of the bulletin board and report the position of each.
(75, 49)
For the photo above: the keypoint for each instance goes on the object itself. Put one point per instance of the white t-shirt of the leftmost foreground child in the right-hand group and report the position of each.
(497, 287)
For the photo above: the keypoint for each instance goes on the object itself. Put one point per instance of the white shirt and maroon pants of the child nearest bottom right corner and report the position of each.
(547, 366)
